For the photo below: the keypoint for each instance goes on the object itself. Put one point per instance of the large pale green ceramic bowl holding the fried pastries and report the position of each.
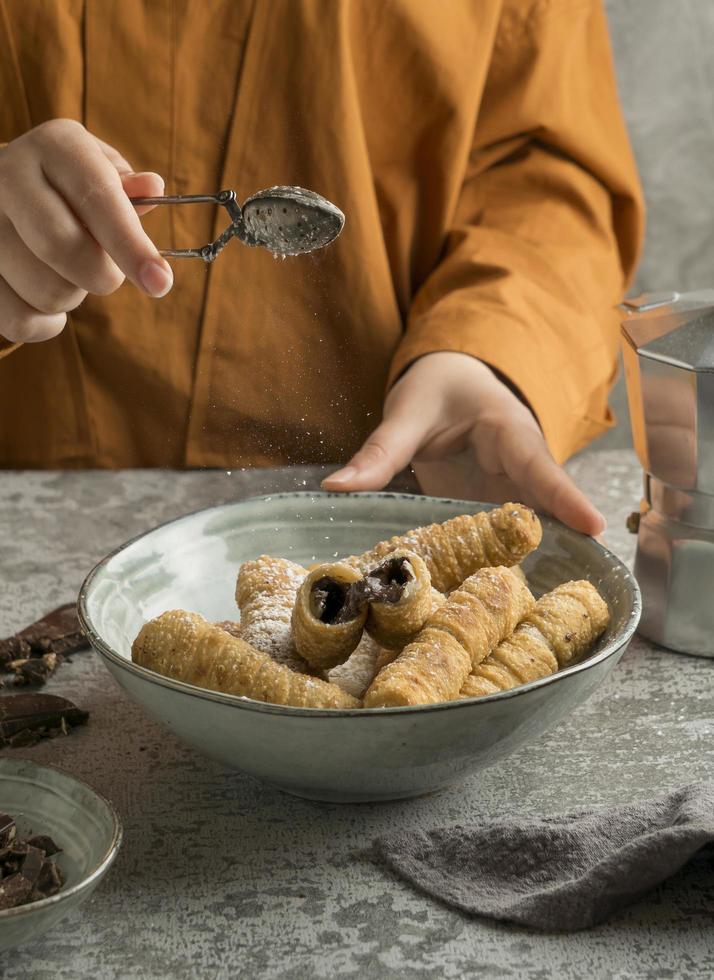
(338, 755)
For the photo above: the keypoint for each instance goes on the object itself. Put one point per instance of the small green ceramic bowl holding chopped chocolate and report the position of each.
(46, 801)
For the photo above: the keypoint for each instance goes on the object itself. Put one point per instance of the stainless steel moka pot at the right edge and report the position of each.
(668, 347)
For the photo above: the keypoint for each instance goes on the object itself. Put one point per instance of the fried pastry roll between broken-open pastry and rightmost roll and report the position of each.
(456, 637)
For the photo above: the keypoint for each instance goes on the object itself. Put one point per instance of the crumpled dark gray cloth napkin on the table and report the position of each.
(556, 873)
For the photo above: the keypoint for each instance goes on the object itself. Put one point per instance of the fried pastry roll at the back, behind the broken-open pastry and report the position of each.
(459, 547)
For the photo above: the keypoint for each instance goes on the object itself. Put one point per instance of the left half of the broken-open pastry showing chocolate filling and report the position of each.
(329, 615)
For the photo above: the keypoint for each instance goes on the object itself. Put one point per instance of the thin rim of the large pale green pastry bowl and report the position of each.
(616, 643)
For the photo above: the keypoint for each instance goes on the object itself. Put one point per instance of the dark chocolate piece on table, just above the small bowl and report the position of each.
(27, 718)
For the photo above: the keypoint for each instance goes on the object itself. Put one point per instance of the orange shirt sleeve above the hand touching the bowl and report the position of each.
(547, 229)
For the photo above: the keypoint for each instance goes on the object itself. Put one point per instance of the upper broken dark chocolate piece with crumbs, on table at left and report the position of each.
(34, 653)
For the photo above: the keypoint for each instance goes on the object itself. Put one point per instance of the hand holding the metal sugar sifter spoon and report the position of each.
(67, 228)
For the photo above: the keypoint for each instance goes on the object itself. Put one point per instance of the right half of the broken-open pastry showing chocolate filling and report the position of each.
(400, 599)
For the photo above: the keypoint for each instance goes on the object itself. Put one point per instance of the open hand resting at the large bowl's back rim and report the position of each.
(468, 436)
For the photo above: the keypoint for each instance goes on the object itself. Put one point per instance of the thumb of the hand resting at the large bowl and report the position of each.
(390, 448)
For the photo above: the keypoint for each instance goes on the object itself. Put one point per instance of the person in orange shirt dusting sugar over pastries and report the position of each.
(464, 321)
